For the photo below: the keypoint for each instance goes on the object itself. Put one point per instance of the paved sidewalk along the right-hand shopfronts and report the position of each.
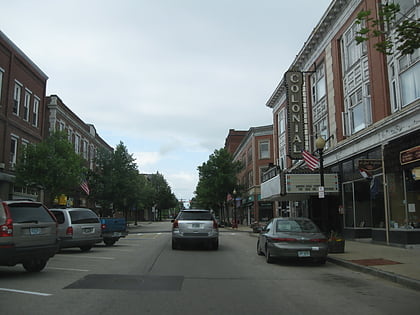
(397, 264)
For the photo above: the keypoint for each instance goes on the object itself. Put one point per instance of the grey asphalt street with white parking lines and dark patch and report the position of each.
(141, 274)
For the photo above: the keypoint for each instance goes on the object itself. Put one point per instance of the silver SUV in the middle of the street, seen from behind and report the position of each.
(195, 226)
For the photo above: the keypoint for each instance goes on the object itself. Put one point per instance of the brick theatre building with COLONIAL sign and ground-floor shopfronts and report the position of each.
(366, 104)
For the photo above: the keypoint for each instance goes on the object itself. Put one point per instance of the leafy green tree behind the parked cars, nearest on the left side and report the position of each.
(52, 165)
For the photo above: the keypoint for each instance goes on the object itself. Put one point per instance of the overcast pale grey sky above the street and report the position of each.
(168, 78)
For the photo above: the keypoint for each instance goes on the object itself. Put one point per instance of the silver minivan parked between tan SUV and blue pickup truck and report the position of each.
(78, 227)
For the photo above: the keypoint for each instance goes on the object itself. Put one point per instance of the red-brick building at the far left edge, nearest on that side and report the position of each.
(22, 111)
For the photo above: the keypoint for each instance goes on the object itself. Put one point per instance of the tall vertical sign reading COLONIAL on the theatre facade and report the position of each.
(295, 122)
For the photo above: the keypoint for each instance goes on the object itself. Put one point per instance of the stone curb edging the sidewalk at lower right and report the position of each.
(407, 282)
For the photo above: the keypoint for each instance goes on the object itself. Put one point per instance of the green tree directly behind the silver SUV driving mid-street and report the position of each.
(217, 178)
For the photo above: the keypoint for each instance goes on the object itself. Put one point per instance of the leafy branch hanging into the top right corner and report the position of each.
(407, 30)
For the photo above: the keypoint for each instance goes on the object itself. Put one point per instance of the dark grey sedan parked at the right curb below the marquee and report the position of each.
(296, 238)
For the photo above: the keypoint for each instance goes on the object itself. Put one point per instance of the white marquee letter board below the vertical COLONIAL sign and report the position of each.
(310, 183)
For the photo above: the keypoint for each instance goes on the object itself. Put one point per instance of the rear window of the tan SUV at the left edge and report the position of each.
(29, 213)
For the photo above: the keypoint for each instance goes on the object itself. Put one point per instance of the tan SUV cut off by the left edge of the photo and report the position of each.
(28, 234)
